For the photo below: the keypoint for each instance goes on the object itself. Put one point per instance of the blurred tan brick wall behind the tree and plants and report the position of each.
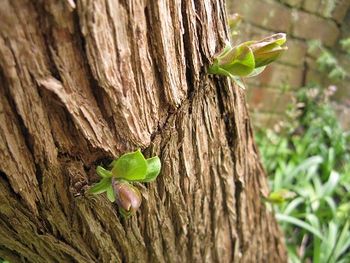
(303, 20)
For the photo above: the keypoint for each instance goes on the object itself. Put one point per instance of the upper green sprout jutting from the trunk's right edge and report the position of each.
(248, 59)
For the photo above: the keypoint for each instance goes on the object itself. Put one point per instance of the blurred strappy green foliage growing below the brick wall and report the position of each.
(310, 157)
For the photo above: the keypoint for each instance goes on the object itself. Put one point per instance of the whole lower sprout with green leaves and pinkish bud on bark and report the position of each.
(117, 181)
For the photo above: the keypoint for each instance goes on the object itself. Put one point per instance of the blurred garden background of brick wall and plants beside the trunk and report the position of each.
(300, 107)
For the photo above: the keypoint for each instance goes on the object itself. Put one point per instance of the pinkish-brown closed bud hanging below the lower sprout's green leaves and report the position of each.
(127, 196)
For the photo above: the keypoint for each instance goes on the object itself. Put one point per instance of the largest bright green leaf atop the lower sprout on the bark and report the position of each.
(130, 167)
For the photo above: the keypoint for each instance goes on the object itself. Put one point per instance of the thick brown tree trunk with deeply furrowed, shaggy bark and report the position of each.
(85, 81)
